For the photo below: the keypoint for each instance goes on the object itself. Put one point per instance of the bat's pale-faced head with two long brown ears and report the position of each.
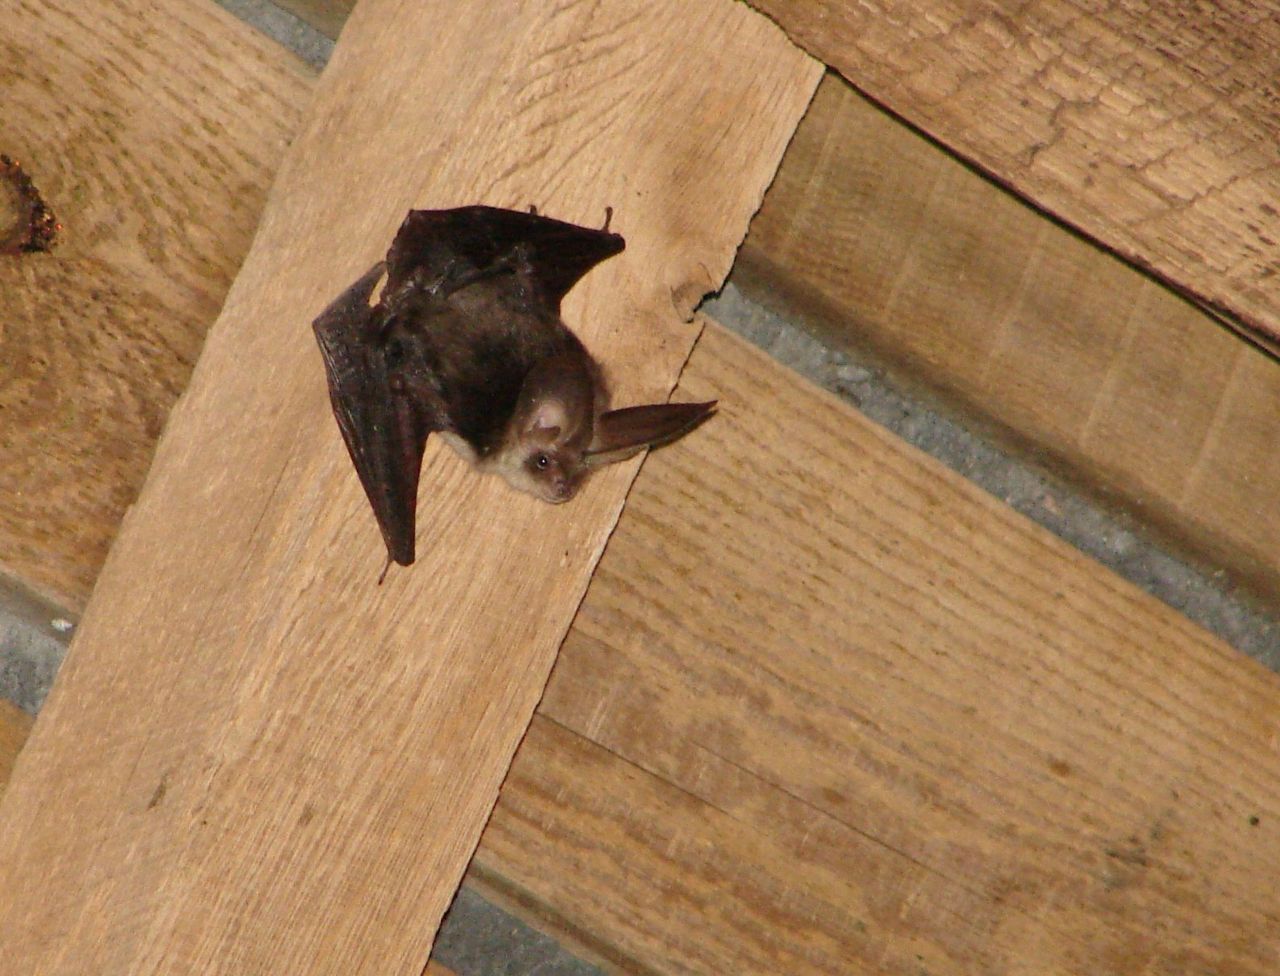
(556, 439)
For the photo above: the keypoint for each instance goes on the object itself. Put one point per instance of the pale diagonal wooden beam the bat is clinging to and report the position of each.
(308, 760)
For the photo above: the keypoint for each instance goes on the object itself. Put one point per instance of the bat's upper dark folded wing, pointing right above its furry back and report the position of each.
(452, 245)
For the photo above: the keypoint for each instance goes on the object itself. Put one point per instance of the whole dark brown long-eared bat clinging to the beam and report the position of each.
(467, 341)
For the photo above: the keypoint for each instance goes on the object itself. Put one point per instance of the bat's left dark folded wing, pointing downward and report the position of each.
(386, 430)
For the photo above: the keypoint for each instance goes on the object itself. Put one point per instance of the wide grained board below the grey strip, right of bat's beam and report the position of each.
(854, 715)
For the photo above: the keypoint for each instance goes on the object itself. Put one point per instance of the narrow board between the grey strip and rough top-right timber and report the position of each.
(888, 244)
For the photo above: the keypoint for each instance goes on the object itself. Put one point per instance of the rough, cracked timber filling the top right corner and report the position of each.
(1151, 127)
